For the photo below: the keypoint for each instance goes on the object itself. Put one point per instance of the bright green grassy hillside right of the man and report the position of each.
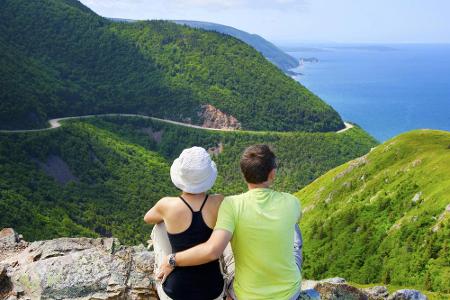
(383, 217)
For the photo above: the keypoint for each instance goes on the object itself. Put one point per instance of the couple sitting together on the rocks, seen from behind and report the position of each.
(261, 225)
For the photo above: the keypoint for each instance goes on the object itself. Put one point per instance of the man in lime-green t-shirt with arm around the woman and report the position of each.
(260, 225)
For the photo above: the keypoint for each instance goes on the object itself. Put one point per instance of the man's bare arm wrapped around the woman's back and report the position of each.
(200, 254)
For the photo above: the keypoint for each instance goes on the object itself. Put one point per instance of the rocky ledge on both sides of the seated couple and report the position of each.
(102, 268)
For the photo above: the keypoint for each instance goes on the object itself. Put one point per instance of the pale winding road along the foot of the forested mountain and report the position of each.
(56, 123)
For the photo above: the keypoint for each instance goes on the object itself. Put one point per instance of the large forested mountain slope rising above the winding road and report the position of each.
(59, 58)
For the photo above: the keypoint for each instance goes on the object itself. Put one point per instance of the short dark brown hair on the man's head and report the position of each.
(256, 163)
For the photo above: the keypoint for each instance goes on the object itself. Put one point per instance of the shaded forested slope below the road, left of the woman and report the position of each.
(78, 181)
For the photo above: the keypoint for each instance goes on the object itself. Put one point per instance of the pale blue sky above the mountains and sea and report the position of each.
(302, 21)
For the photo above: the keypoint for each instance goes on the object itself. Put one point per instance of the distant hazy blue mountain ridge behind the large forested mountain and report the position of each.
(275, 55)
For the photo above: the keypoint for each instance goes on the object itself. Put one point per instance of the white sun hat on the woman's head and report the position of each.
(194, 171)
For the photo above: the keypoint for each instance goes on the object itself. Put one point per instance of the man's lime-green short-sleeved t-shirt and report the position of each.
(262, 223)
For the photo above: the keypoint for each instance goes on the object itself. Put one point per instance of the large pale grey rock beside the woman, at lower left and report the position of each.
(82, 268)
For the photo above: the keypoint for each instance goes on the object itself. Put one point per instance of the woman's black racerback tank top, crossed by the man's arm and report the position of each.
(204, 282)
